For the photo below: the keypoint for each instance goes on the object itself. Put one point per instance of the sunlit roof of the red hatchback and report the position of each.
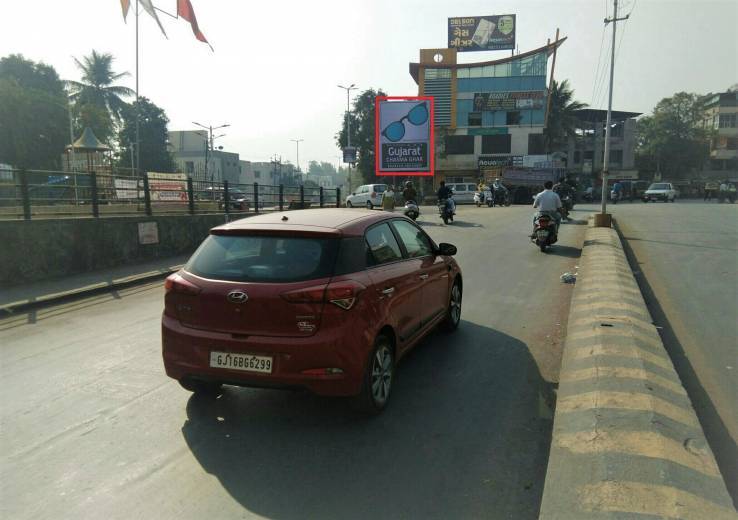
(314, 221)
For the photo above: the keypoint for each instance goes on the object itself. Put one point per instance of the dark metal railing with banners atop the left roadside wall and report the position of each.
(27, 194)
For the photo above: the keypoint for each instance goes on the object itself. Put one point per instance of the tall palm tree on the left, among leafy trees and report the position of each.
(98, 88)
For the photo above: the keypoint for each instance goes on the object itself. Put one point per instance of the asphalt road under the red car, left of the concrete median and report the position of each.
(92, 428)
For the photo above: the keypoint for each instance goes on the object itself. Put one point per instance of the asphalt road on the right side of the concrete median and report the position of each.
(687, 254)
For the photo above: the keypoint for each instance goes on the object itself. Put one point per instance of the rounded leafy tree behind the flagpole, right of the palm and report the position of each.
(153, 123)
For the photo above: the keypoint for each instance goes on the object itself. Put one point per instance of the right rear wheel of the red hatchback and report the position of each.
(379, 376)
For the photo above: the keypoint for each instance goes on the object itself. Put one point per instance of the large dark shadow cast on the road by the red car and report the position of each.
(466, 435)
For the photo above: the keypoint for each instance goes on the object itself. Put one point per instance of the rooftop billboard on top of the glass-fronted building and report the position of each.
(482, 33)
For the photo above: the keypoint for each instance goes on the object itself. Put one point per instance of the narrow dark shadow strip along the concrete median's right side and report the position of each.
(718, 436)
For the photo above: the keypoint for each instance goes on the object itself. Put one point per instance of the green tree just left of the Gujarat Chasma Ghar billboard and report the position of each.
(362, 134)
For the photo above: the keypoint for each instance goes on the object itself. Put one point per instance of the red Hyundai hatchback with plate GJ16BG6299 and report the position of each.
(325, 299)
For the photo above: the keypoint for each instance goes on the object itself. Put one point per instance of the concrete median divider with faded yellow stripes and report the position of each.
(626, 440)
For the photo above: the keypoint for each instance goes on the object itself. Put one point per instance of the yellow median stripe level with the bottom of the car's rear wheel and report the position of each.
(627, 401)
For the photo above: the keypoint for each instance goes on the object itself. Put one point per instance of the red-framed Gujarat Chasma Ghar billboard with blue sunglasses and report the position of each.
(403, 135)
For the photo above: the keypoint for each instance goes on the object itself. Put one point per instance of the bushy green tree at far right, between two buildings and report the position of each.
(673, 139)
